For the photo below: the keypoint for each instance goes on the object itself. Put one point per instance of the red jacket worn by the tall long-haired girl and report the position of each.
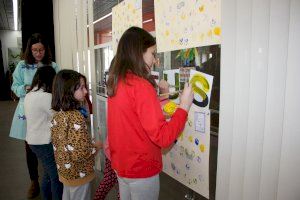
(138, 130)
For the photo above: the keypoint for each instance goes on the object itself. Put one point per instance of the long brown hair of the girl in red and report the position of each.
(129, 58)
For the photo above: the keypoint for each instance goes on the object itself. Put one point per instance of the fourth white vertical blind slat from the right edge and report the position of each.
(241, 97)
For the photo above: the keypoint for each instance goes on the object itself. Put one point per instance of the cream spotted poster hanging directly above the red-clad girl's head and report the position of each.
(124, 15)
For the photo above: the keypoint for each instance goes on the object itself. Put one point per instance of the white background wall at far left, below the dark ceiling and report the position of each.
(8, 40)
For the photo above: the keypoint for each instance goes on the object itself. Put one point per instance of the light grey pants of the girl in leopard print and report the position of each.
(82, 192)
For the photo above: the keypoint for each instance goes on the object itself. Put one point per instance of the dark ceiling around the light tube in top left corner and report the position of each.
(7, 15)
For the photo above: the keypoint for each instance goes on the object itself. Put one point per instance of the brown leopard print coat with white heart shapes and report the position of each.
(73, 149)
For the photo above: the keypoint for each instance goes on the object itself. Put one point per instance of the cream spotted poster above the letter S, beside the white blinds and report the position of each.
(182, 24)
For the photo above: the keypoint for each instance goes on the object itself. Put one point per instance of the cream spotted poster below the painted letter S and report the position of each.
(188, 160)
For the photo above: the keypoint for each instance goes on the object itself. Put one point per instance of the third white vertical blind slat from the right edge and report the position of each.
(257, 97)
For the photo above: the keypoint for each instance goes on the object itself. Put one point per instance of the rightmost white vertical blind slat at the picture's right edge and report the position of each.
(289, 175)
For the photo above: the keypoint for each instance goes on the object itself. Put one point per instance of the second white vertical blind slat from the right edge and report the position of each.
(278, 43)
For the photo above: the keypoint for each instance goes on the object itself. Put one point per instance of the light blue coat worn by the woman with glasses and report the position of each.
(22, 76)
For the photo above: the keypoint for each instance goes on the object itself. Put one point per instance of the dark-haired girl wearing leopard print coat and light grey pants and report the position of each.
(74, 150)
